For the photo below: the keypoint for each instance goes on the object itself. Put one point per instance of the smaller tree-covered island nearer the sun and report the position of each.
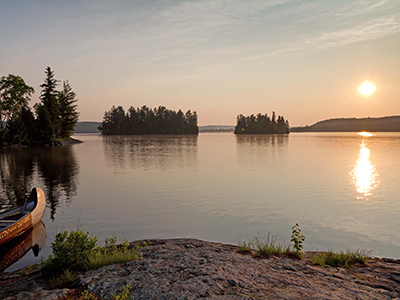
(261, 124)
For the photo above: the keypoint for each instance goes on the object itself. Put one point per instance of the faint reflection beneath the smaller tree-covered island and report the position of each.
(255, 151)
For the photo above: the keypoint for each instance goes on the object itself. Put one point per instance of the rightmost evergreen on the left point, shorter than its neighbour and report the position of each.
(68, 113)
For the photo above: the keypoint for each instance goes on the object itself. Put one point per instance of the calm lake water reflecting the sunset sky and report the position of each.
(342, 188)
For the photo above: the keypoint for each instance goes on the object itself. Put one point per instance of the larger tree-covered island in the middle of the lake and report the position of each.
(145, 120)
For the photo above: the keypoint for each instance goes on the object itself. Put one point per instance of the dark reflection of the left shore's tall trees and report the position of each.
(54, 169)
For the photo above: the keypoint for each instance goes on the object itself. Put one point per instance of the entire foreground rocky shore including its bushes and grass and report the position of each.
(191, 269)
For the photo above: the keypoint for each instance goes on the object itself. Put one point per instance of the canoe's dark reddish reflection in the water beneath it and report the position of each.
(12, 251)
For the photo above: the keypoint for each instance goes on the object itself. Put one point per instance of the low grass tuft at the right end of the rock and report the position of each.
(342, 259)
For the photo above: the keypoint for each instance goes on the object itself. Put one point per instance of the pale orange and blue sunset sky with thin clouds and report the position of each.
(303, 59)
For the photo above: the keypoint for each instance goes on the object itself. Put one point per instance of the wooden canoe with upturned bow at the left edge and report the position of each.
(15, 221)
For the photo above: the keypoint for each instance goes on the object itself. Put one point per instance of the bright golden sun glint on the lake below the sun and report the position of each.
(364, 174)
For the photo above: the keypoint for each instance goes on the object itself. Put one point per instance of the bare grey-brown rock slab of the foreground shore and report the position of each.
(193, 269)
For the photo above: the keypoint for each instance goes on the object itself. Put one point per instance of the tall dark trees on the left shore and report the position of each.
(52, 120)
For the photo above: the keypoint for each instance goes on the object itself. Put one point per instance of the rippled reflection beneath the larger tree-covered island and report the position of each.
(151, 152)
